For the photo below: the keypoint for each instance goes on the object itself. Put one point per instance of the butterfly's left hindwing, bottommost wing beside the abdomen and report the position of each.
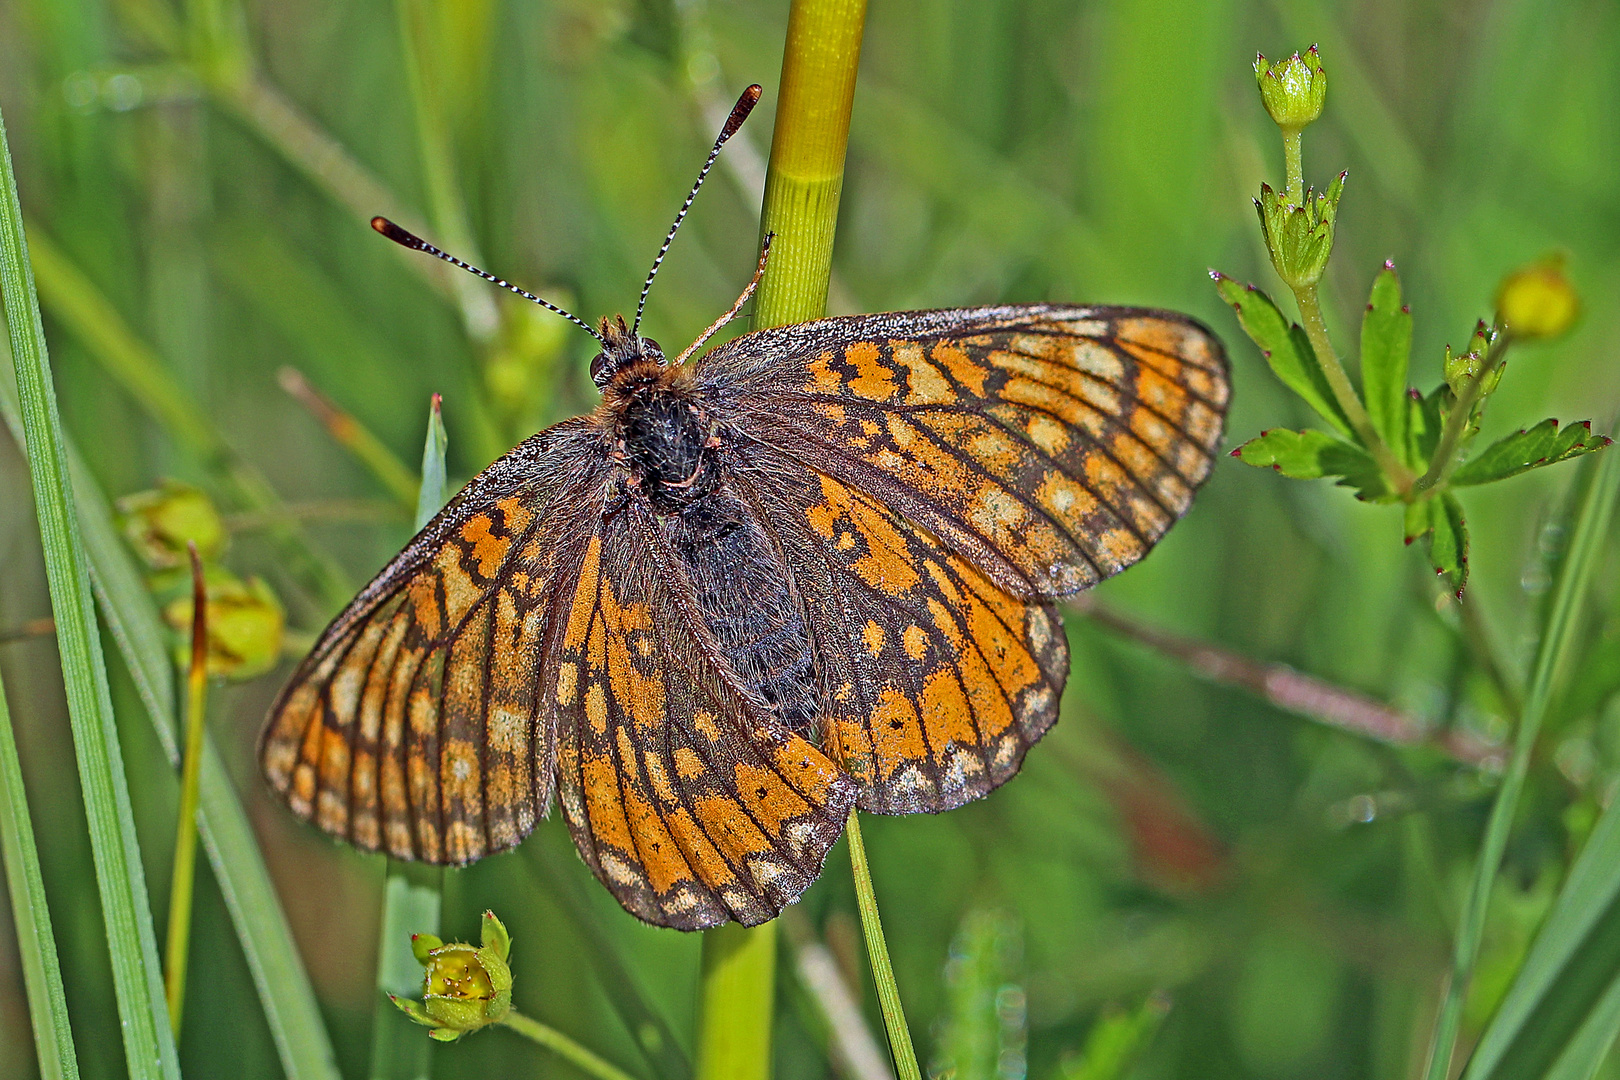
(684, 796)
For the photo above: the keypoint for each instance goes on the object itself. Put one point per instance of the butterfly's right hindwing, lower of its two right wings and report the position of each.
(936, 681)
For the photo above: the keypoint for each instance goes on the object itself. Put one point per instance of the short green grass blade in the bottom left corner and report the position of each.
(48, 1006)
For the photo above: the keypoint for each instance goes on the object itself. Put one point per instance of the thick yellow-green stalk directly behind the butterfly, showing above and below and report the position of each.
(801, 210)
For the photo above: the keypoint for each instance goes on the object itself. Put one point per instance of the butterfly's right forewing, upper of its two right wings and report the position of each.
(1052, 446)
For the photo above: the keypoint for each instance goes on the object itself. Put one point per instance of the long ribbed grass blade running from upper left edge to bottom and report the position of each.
(132, 943)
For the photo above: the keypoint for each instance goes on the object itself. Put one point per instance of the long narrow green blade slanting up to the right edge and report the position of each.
(1587, 543)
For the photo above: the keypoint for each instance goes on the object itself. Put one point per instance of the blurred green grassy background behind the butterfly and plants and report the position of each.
(1274, 895)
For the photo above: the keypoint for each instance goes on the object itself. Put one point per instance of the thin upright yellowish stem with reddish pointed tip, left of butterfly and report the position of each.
(179, 945)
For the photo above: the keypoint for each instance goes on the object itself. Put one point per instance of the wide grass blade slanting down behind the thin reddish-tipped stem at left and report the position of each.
(239, 869)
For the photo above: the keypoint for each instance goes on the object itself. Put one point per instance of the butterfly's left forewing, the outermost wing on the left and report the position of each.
(414, 725)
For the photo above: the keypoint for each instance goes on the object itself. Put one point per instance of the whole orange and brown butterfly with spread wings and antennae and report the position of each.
(806, 572)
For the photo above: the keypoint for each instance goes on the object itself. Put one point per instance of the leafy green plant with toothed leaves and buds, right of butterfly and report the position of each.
(1389, 443)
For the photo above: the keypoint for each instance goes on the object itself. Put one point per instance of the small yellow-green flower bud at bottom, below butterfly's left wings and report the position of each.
(464, 987)
